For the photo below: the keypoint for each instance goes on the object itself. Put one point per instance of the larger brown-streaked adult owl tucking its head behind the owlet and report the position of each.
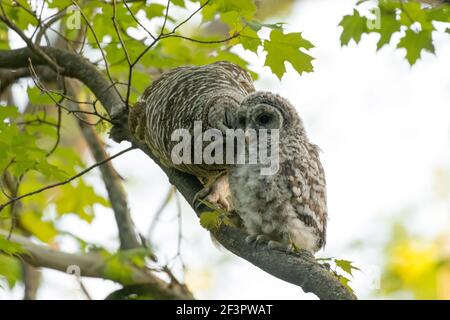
(180, 97)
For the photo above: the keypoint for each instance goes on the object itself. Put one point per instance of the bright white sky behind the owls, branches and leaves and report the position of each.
(383, 128)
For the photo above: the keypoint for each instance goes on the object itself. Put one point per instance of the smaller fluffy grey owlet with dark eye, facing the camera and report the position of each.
(288, 208)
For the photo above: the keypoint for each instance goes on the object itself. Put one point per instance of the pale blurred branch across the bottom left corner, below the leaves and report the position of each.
(94, 265)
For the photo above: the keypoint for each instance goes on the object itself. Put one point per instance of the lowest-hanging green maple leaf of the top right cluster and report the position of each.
(415, 43)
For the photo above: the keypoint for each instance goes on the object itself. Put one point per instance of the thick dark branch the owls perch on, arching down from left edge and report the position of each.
(301, 270)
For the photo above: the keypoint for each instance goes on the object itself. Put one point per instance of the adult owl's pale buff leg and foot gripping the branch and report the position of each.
(217, 194)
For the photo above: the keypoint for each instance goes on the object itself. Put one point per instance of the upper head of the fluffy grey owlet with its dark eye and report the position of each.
(265, 110)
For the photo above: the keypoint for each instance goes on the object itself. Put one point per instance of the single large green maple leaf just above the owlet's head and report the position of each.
(283, 48)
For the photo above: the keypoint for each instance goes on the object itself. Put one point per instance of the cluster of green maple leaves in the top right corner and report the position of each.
(415, 22)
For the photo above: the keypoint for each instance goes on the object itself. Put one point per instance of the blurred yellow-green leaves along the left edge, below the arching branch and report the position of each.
(26, 165)
